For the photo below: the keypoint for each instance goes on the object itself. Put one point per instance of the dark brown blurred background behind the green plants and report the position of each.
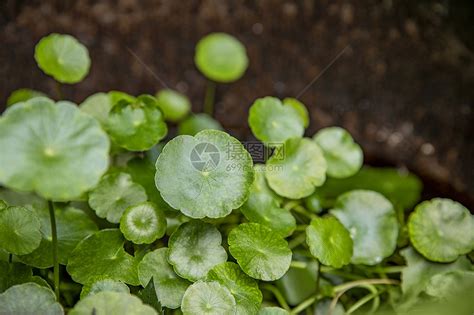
(404, 86)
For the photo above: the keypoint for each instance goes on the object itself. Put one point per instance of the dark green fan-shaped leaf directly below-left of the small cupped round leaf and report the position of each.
(102, 255)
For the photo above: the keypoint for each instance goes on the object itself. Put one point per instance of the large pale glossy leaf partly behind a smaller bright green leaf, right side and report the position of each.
(371, 220)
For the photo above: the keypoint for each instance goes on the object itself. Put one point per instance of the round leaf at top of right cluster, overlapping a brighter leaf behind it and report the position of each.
(273, 123)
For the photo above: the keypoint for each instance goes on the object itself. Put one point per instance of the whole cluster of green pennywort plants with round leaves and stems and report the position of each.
(104, 209)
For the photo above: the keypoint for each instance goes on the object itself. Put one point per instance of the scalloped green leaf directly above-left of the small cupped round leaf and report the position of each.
(115, 193)
